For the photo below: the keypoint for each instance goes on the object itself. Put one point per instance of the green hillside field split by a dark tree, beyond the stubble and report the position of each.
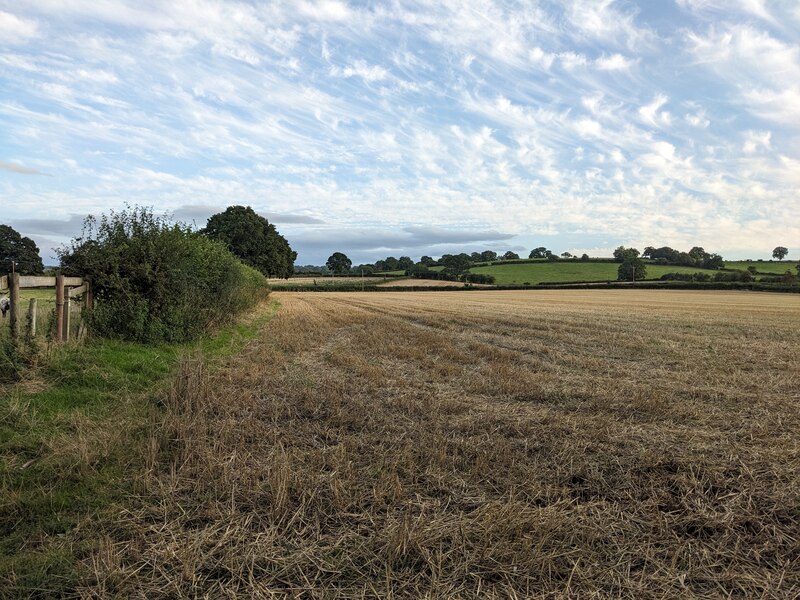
(563, 271)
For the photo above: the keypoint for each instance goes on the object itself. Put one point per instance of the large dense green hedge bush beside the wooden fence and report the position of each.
(155, 280)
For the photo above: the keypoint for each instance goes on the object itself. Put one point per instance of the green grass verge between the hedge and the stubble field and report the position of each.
(68, 436)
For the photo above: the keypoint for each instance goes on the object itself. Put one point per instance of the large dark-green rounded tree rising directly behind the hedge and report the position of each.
(253, 239)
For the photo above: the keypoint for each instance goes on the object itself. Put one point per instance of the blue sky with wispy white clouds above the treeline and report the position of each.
(410, 128)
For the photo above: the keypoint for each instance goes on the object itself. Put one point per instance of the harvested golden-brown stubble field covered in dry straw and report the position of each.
(495, 445)
